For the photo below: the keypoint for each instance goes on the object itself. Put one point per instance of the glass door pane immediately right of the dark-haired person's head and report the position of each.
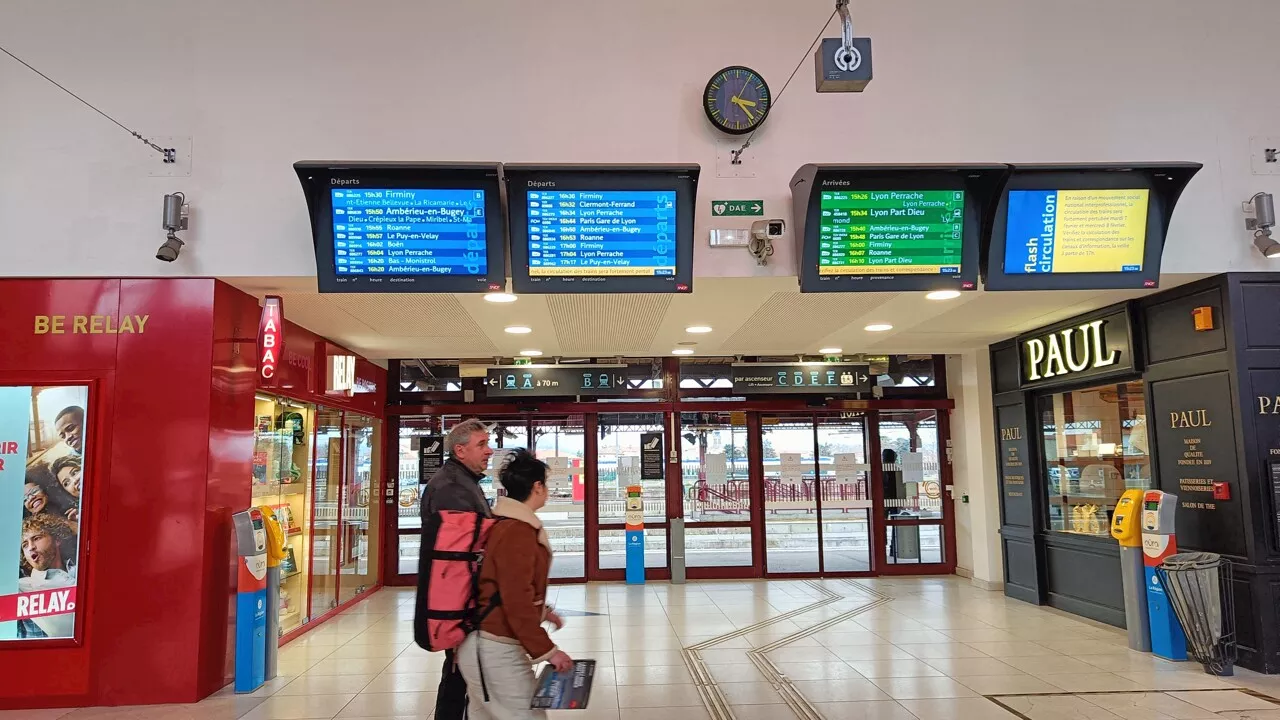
(561, 443)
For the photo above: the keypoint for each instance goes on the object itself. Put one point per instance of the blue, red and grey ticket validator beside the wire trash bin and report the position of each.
(1159, 543)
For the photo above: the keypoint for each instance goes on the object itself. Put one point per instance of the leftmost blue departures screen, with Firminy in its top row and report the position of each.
(409, 233)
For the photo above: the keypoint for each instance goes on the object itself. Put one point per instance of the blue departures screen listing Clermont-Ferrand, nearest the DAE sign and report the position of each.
(602, 233)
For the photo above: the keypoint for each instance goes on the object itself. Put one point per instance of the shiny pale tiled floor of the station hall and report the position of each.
(912, 649)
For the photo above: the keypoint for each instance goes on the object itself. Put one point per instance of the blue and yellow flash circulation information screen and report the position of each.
(1076, 231)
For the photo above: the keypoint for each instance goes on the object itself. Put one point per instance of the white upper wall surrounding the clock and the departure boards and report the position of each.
(260, 85)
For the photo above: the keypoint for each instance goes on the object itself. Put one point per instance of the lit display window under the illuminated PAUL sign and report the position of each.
(1096, 446)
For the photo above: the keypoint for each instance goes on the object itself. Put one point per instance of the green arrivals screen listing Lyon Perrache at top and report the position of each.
(868, 233)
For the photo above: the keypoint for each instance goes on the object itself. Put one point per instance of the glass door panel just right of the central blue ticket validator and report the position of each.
(715, 458)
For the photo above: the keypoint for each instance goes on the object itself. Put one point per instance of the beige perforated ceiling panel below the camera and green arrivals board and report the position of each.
(793, 322)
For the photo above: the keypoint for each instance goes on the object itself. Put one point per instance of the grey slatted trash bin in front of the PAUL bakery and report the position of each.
(1200, 590)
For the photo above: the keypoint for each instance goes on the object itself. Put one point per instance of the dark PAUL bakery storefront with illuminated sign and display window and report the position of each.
(1173, 393)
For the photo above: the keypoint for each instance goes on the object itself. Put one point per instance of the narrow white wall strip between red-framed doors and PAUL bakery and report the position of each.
(975, 468)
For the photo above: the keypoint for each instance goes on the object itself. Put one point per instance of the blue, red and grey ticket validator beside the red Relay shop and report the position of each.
(250, 600)
